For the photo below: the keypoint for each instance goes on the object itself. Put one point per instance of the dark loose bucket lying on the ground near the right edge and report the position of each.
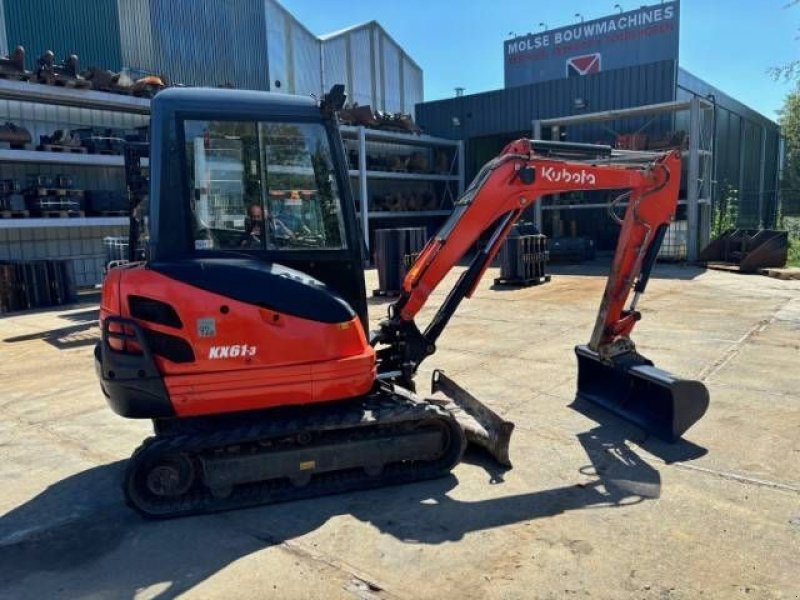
(747, 250)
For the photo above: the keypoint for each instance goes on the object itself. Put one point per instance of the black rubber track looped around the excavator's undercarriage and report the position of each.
(381, 410)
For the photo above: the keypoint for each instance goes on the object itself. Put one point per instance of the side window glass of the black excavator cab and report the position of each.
(262, 186)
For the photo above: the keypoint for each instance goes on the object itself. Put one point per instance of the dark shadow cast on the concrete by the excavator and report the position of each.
(96, 546)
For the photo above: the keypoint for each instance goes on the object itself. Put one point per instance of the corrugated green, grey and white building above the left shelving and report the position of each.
(253, 44)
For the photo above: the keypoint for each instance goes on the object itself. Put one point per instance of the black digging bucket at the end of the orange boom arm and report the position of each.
(632, 388)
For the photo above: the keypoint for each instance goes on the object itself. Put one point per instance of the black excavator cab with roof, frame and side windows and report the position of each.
(241, 175)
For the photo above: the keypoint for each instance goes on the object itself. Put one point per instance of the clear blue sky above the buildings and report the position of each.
(459, 43)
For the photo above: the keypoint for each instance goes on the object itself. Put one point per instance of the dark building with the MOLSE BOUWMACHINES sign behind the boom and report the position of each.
(570, 97)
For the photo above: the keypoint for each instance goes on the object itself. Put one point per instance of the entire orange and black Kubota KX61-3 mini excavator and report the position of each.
(242, 332)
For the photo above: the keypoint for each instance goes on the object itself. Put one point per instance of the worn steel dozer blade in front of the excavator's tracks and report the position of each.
(482, 426)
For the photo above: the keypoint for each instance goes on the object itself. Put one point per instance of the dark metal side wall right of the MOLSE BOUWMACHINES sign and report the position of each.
(738, 124)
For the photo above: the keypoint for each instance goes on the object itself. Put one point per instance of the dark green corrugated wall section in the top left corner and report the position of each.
(89, 28)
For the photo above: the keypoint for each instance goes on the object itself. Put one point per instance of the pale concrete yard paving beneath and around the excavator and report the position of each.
(590, 510)
